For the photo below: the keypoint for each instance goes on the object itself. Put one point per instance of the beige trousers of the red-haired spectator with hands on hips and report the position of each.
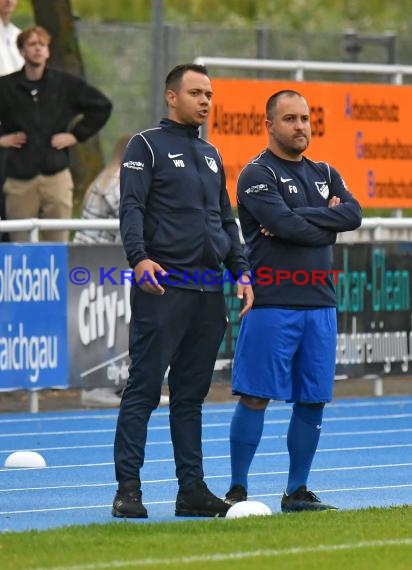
(40, 197)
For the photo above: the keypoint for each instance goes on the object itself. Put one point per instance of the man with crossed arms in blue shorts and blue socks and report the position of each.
(290, 210)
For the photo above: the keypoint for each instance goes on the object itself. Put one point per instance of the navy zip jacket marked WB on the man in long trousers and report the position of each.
(174, 207)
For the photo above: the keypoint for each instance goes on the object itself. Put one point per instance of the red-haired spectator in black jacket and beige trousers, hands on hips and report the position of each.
(44, 112)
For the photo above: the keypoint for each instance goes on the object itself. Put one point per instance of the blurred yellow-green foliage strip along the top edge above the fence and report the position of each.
(318, 15)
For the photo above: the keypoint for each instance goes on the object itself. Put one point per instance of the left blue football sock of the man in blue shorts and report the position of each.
(245, 432)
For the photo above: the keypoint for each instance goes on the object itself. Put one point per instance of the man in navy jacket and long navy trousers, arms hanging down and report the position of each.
(177, 230)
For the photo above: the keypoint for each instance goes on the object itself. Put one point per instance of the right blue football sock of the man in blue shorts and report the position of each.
(302, 440)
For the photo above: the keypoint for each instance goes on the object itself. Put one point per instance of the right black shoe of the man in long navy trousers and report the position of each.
(200, 502)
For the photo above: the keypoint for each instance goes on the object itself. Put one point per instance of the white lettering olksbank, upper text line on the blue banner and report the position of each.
(28, 284)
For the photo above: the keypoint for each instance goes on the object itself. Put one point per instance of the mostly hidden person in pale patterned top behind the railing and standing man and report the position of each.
(101, 201)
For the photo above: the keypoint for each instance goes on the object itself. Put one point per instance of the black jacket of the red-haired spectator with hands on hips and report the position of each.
(42, 109)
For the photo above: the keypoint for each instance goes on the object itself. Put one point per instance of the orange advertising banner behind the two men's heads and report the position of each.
(363, 130)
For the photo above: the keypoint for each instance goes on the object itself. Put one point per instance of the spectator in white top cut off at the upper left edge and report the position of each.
(10, 60)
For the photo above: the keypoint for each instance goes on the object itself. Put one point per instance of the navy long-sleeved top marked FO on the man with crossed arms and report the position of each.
(290, 199)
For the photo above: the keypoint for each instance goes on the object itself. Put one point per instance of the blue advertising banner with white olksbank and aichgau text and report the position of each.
(29, 338)
